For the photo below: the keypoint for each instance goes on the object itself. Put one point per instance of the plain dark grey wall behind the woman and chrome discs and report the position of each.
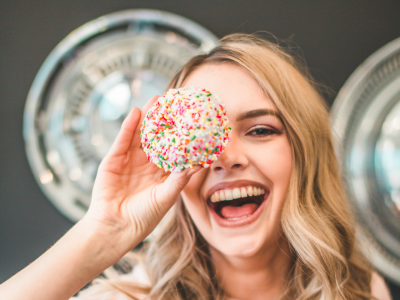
(334, 37)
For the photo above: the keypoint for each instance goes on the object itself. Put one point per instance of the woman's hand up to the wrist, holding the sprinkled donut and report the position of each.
(131, 194)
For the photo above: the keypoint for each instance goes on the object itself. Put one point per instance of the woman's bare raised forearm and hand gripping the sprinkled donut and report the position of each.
(130, 197)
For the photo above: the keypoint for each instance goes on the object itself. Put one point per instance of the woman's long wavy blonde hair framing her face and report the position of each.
(316, 219)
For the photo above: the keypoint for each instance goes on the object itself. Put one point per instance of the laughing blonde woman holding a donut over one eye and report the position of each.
(297, 242)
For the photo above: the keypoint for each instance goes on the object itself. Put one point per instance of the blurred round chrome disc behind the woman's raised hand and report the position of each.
(87, 86)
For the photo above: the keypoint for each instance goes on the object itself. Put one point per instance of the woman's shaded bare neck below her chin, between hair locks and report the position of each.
(262, 276)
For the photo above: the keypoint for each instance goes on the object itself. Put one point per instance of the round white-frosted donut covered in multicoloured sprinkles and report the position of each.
(185, 127)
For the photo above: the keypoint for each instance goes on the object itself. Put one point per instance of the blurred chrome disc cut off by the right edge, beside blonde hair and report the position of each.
(366, 119)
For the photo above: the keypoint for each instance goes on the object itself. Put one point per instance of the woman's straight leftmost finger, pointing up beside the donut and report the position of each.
(124, 138)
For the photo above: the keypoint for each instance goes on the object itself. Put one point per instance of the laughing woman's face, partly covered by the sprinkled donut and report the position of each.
(257, 160)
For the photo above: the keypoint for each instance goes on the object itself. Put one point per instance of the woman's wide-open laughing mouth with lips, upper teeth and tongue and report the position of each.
(237, 206)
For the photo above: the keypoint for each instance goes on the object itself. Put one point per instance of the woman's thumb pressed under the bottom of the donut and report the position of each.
(174, 184)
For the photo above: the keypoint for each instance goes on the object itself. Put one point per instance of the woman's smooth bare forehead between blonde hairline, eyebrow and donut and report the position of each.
(236, 87)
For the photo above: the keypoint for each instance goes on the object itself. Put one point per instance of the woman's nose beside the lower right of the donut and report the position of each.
(233, 158)
